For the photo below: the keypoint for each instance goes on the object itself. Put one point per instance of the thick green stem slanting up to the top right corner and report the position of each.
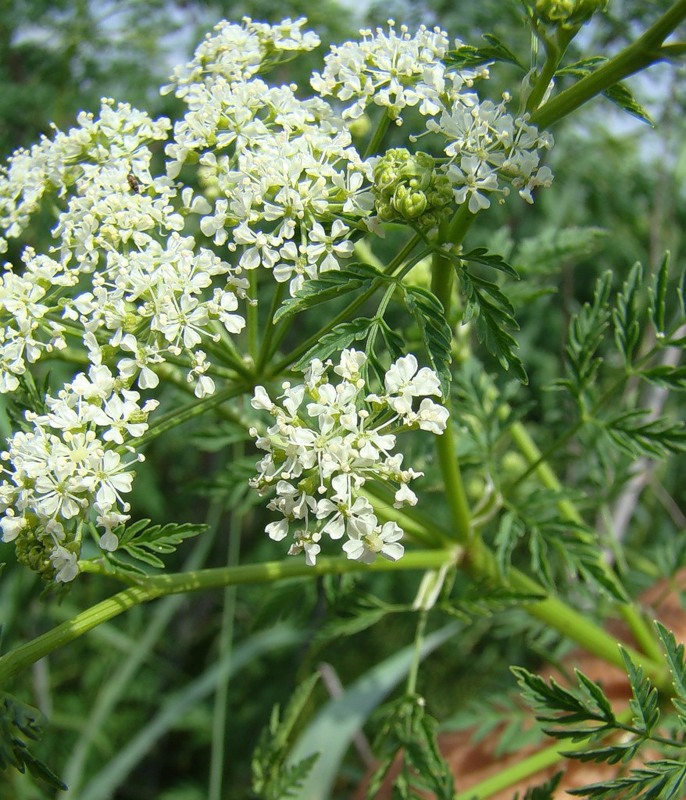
(646, 50)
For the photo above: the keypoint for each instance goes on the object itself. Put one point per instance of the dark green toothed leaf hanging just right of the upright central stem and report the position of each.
(493, 315)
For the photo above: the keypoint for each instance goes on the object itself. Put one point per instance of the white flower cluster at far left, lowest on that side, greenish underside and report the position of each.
(70, 468)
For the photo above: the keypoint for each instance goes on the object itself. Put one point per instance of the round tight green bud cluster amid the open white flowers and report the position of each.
(409, 188)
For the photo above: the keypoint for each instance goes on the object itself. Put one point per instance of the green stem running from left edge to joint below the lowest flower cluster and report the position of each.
(20, 658)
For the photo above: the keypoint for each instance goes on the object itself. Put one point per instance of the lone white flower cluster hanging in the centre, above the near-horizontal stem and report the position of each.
(329, 439)
